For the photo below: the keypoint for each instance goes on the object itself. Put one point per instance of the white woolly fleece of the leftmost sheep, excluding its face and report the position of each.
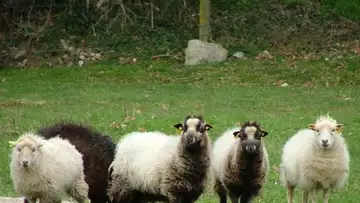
(58, 167)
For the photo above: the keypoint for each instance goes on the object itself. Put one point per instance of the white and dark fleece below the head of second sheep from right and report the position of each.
(233, 172)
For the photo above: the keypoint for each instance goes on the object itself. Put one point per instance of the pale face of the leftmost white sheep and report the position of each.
(27, 153)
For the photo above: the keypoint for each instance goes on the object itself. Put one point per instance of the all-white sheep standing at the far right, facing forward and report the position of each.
(315, 159)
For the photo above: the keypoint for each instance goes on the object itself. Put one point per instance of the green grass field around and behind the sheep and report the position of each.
(154, 96)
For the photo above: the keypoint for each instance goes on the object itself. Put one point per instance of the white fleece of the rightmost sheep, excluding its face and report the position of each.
(304, 163)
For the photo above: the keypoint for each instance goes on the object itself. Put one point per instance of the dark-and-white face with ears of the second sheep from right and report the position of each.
(250, 135)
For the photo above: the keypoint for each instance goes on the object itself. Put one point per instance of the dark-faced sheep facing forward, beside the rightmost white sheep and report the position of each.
(239, 163)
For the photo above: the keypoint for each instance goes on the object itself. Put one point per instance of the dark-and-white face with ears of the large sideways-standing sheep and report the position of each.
(194, 130)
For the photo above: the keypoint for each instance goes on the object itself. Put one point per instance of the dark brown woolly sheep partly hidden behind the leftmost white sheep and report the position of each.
(97, 151)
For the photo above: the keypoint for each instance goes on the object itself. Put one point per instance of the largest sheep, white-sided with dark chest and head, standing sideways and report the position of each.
(153, 166)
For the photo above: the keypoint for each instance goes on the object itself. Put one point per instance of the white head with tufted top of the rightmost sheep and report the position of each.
(326, 128)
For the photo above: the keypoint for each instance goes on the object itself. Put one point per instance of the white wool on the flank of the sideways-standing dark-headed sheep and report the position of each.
(143, 156)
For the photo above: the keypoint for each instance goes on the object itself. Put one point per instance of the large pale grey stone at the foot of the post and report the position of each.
(199, 52)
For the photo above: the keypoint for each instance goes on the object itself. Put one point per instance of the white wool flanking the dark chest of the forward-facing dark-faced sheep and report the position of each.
(222, 147)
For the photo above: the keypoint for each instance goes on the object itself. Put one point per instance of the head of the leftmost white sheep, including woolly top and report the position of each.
(26, 150)
